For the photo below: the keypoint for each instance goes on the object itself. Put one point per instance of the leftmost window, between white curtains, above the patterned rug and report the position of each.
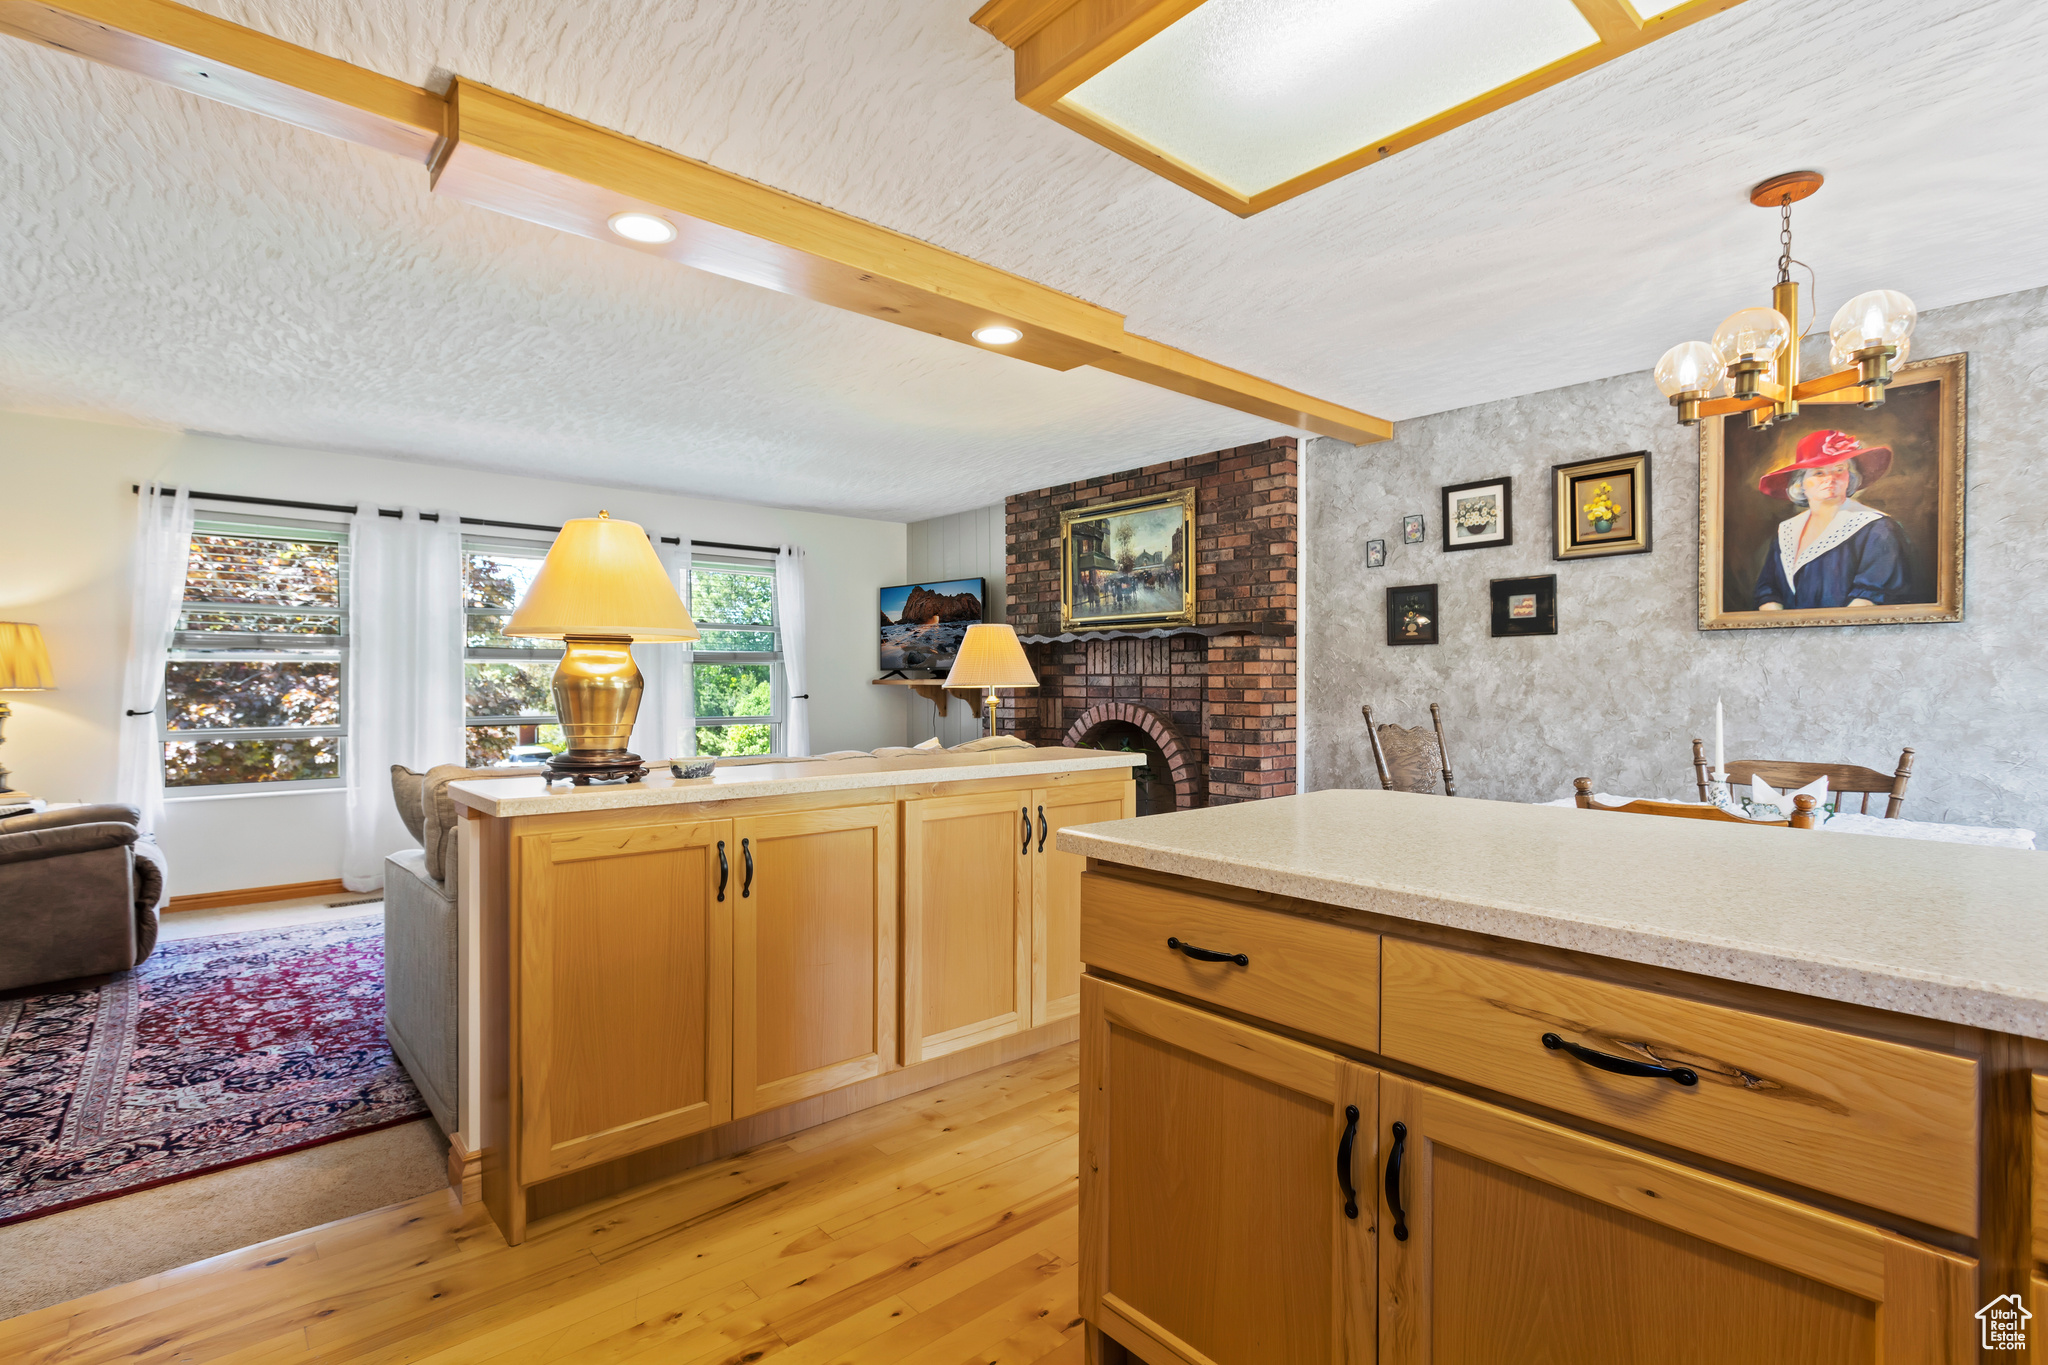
(255, 687)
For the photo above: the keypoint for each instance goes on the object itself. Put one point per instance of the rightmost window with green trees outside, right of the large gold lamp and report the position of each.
(736, 668)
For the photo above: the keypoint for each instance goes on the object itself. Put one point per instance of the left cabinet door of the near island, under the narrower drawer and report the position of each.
(1215, 1159)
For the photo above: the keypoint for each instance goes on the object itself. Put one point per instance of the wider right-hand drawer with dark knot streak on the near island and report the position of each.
(1877, 1122)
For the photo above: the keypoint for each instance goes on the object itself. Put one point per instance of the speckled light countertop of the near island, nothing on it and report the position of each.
(1936, 930)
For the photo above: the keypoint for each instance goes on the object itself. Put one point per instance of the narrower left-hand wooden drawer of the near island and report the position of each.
(1302, 973)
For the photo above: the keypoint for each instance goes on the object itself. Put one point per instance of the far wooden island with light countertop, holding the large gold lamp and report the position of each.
(671, 971)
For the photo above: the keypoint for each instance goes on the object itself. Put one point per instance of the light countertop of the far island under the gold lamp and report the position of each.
(529, 795)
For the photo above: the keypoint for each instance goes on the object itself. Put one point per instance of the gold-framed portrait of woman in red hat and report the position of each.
(1840, 515)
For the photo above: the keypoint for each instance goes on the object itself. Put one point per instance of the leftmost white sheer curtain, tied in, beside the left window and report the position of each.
(163, 545)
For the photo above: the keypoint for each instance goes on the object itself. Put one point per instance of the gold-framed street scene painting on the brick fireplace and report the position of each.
(1127, 564)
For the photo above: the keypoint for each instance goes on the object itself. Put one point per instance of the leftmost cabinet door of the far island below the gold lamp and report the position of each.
(626, 965)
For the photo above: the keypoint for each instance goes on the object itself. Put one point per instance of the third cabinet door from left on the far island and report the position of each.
(966, 922)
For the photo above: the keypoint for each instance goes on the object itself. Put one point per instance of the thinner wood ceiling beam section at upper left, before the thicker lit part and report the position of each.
(239, 67)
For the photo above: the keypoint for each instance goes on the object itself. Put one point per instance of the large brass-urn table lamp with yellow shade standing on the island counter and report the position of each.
(601, 590)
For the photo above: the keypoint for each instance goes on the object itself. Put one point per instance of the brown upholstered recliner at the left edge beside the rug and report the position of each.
(79, 895)
